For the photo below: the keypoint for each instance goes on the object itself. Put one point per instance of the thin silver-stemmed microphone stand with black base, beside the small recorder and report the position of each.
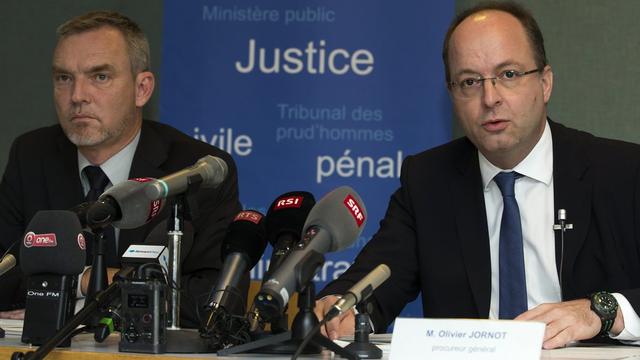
(185, 205)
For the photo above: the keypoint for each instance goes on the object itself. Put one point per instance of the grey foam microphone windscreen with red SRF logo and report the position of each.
(342, 214)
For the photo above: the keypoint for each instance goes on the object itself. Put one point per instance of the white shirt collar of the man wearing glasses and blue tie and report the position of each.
(538, 164)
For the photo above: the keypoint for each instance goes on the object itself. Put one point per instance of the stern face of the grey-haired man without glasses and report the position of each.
(94, 89)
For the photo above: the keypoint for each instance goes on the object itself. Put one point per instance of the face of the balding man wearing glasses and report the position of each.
(504, 123)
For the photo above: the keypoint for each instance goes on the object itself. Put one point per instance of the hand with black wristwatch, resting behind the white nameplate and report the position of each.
(568, 321)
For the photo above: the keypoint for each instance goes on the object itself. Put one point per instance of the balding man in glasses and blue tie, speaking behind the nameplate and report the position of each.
(449, 232)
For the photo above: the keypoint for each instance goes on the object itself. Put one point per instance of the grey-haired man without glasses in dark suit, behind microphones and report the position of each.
(101, 82)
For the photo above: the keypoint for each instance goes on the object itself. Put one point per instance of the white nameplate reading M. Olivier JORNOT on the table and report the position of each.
(457, 339)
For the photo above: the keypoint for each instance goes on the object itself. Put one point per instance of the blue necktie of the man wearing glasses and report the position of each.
(513, 284)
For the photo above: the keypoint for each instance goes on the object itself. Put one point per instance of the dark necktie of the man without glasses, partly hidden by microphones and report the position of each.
(98, 181)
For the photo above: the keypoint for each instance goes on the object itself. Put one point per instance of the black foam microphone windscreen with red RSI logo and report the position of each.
(287, 215)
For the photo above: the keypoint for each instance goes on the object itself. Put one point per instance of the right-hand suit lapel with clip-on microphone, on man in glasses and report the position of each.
(572, 192)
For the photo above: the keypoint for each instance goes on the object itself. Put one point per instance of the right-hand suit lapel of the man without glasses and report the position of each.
(150, 154)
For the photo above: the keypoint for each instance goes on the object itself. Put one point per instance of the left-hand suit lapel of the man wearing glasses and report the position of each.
(471, 222)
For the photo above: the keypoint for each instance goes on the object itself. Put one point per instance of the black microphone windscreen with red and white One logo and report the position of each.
(53, 243)
